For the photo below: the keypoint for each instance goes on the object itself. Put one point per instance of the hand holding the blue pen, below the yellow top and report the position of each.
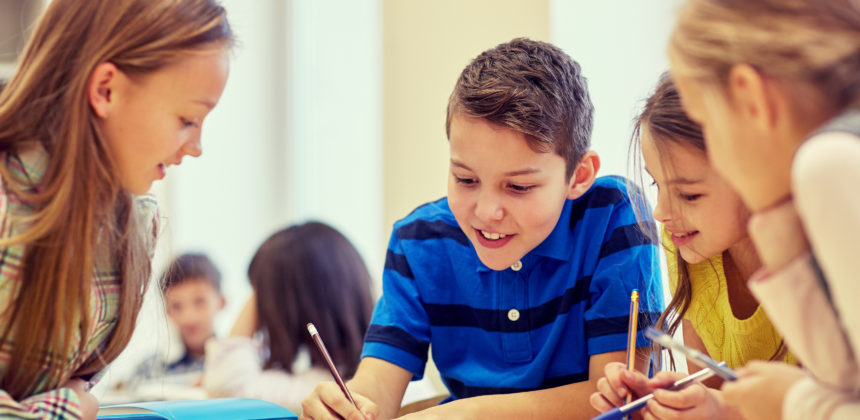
(692, 402)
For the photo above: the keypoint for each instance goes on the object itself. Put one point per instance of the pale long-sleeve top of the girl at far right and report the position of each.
(821, 327)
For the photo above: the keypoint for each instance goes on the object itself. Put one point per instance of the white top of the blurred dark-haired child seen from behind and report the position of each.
(234, 369)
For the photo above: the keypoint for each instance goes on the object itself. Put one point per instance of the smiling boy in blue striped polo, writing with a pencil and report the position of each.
(520, 279)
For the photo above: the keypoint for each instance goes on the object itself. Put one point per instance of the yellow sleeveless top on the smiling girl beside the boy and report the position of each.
(736, 341)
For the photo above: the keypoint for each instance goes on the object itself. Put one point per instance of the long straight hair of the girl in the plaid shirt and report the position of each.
(79, 201)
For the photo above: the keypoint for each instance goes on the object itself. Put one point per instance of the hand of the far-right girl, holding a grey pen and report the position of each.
(761, 389)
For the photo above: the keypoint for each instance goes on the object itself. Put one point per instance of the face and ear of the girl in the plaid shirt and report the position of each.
(152, 121)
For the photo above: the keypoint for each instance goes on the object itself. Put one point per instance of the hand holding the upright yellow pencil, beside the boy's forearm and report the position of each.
(617, 382)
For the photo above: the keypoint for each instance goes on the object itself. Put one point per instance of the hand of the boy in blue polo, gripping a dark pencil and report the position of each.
(328, 402)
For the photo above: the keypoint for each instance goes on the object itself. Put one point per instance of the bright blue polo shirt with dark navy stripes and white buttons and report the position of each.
(495, 332)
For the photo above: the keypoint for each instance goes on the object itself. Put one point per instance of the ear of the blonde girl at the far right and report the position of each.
(751, 96)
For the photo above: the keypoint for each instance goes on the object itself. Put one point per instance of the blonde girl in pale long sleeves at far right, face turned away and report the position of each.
(776, 86)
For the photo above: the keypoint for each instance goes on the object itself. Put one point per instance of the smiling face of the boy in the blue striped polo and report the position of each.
(506, 197)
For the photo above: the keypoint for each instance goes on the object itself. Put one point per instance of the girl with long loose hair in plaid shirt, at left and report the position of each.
(107, 94)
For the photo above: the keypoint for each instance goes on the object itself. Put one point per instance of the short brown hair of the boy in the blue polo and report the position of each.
(532, 87)
